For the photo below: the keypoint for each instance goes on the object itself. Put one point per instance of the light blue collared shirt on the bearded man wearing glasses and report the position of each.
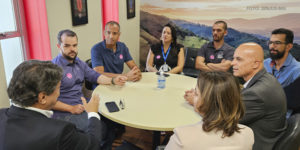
(289, 71)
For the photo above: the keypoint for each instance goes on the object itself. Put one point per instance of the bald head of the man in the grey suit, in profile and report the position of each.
(248, 60)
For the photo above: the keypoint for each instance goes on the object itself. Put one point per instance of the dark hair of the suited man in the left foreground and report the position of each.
(32, 77)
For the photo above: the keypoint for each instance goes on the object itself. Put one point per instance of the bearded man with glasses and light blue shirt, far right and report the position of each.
(281, 63)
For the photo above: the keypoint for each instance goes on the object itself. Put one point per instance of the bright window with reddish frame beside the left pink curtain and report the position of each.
(12, 35)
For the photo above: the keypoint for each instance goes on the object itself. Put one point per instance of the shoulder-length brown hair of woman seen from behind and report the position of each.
(220, 102)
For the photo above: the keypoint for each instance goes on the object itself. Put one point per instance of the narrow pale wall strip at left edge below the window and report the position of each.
(4, 100)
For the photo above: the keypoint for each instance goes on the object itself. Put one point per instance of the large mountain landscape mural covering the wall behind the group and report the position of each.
(248, 21)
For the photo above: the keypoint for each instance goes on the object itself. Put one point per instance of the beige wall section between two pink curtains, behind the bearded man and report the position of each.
(59, 18)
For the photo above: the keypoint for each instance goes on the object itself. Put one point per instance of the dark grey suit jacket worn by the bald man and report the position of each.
(265, 104)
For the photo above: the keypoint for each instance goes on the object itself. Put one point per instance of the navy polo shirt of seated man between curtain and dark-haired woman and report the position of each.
(112, 62)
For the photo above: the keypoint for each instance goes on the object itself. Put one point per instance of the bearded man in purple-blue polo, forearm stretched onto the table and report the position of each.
(69, 105)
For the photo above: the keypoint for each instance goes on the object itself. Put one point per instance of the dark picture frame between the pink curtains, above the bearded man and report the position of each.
(79, 12)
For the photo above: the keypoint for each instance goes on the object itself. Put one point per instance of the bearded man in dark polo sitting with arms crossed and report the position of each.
(216, 55)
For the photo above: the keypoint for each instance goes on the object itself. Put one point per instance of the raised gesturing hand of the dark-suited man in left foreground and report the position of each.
(93, 104)
